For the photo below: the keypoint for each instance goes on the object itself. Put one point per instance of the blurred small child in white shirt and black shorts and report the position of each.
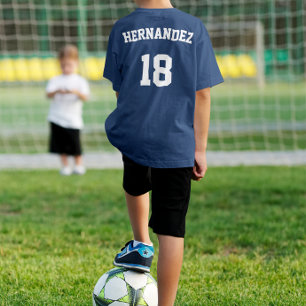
(68, 91)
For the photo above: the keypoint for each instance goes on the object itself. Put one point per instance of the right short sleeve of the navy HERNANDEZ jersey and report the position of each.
(208, 72)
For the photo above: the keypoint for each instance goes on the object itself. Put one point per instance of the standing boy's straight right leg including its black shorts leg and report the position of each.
(170, 199)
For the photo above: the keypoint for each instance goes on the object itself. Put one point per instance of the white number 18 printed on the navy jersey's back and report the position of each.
(158, 70)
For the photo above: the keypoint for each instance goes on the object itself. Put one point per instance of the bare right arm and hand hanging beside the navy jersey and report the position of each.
(201, 125)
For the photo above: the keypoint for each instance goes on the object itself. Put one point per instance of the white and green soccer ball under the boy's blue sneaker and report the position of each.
(123, 287)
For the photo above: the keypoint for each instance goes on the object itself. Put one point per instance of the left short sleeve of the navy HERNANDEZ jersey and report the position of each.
(112, 69)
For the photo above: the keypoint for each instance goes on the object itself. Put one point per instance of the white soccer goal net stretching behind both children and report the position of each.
(260, 47)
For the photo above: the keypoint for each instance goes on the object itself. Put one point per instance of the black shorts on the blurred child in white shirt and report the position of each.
(64, 140)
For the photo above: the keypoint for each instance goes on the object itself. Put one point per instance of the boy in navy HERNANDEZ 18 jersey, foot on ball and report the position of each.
(161, 64)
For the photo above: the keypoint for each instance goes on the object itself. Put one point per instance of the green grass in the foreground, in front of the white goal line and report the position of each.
(245, 242)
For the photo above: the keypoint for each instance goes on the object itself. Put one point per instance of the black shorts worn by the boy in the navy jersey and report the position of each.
(170, 194)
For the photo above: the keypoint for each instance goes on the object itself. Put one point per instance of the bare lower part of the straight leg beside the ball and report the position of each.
(169, 265)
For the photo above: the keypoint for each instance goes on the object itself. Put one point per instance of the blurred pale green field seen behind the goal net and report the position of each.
(243, 117)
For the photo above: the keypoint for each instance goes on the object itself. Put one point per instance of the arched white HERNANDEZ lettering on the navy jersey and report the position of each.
(158, 33)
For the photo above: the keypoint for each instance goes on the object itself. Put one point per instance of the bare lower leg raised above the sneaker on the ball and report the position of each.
(138, 208)
